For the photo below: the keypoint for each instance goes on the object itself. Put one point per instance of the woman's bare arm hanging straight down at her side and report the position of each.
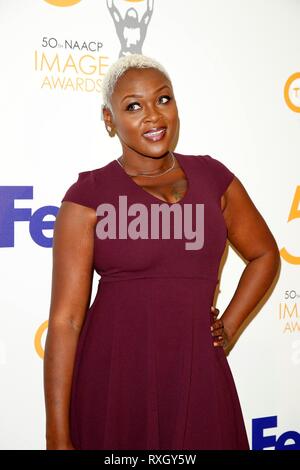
(72, 276)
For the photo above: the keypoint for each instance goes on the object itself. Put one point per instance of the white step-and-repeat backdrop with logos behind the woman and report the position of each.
(235, 70)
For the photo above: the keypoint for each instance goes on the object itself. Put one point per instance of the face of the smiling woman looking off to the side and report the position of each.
(145, 115)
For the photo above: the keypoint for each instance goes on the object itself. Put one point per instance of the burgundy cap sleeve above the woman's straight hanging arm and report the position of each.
(81, 192)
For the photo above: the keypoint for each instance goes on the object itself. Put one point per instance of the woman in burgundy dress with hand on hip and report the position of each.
(144, 366)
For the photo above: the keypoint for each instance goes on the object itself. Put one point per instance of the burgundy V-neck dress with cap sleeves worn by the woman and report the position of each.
(146, 374)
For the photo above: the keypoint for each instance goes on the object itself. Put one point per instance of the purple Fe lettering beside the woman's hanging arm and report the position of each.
(9, 215)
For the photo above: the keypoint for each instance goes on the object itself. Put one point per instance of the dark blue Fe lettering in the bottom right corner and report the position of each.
(289, 440)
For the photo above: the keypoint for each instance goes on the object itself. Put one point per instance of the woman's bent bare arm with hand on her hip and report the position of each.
(250, 235)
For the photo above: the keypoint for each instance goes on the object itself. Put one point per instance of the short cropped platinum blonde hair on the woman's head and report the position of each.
(118, 68)
